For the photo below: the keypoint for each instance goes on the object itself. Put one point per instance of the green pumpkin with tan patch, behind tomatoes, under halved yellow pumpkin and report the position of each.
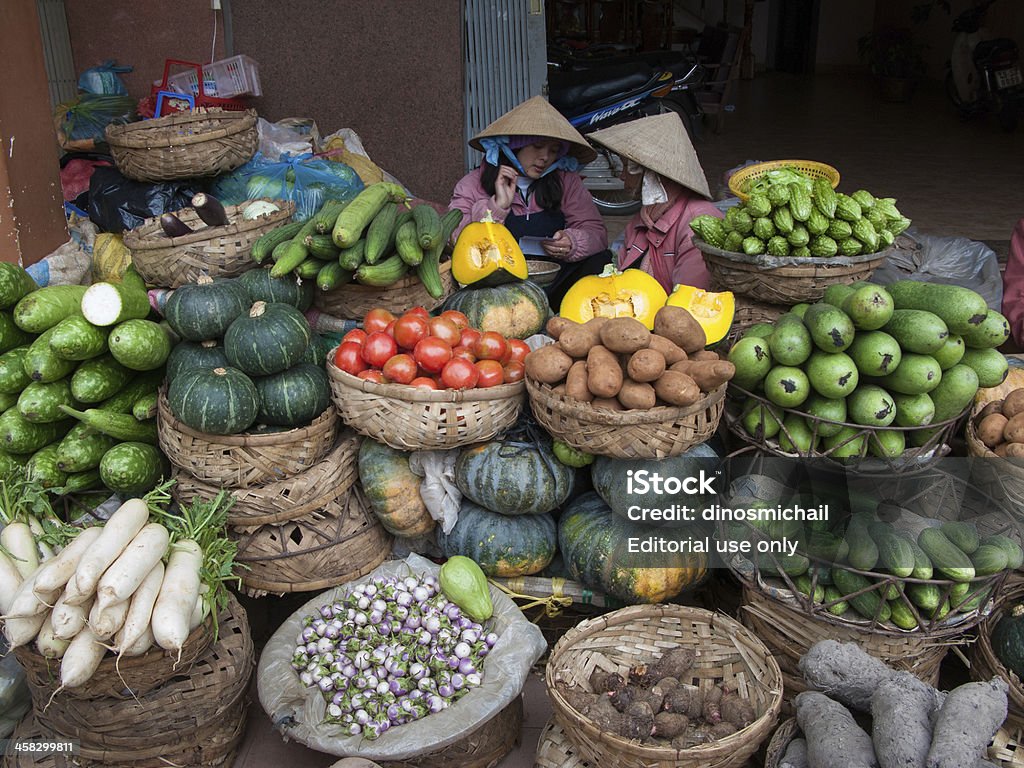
(517, 311)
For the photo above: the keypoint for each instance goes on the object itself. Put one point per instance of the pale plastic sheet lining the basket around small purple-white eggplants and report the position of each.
(298, 712)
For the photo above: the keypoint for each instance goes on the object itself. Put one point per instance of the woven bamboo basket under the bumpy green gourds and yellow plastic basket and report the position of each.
(758, 278)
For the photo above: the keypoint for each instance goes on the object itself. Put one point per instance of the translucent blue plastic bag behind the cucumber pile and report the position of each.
(306, 181)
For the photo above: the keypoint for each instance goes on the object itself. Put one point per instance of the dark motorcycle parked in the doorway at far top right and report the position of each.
(985, 73)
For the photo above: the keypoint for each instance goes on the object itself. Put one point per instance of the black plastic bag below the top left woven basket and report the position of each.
(117, 203)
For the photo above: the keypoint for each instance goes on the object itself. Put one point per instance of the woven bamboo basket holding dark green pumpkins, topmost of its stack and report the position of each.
(244, 461)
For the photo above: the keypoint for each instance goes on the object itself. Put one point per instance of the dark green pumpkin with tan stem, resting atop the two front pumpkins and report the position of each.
(271, 338)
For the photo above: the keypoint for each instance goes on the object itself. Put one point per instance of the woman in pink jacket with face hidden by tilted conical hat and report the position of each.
(659, 240)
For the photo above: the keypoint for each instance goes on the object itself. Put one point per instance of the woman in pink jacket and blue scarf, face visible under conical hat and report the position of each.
(529, 183)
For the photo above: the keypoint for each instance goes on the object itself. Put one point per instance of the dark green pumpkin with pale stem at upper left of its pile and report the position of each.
(204, 310)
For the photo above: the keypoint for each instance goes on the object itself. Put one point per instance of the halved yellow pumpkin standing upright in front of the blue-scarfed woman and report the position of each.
(488, 254)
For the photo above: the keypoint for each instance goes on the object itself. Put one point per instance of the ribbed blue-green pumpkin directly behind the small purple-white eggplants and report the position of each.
(502, 546)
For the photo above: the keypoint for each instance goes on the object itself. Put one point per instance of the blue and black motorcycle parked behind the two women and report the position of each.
(610, 93)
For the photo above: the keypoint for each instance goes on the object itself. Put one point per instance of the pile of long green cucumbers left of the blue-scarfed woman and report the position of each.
(376, 239)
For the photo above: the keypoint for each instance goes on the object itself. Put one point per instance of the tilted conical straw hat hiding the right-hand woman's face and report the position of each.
(661, 144)
